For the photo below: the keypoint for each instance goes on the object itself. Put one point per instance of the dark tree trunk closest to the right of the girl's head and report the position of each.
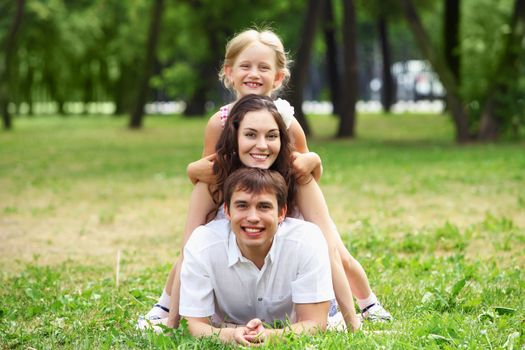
(302, 62)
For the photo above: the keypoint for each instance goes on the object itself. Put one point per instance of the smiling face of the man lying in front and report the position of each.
(254, 219)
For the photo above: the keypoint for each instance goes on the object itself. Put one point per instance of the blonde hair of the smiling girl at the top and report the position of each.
(244, 39)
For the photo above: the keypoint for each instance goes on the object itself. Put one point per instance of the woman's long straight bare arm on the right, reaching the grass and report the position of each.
(312, 205)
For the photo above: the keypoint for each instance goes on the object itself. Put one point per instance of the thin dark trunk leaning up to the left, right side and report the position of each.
(454, 101)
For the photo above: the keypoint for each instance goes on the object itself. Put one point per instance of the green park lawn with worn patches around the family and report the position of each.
(439, 228)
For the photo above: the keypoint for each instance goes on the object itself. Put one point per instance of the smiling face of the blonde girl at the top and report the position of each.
(254, 71)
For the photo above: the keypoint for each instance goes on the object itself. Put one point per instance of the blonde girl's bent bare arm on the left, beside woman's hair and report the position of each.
(201, 170)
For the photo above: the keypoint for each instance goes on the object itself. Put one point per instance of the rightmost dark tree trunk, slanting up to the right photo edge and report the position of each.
(507, 70)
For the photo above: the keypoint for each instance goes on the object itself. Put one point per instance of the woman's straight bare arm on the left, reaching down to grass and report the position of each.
(200, 205)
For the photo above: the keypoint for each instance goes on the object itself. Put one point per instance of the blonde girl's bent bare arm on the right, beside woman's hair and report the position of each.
(306, 163)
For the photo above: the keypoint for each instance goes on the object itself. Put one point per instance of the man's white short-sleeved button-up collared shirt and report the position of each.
(217, 280)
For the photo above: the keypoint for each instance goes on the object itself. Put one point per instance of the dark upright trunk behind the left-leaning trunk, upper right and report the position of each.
(451, 37)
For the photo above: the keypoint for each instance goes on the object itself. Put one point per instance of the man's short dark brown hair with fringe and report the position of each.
(255, 180)
